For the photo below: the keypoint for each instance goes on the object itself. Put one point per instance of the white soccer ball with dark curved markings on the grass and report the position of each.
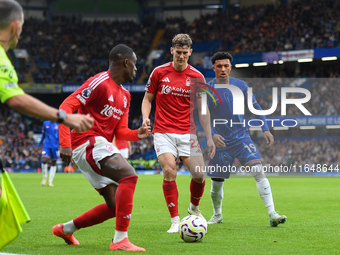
(193, 228)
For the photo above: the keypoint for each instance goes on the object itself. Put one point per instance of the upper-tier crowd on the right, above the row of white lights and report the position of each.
(269, 27)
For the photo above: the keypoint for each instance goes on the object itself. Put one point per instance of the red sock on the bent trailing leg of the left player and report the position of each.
(96, 215)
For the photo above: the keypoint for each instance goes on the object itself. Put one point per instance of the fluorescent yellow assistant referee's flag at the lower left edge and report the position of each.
(12, 210)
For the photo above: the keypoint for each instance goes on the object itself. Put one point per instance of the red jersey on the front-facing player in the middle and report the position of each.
(173, 92)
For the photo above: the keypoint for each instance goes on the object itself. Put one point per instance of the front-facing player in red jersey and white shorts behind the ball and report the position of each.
(174, 130)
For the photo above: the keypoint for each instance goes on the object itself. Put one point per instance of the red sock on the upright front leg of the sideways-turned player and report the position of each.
(124, 201)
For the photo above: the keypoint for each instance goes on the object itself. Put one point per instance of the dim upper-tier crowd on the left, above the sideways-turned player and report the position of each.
(70, 50)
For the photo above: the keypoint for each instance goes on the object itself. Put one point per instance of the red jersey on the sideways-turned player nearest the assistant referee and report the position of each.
(106, 102)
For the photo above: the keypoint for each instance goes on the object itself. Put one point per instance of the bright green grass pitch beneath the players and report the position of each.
(311, 205)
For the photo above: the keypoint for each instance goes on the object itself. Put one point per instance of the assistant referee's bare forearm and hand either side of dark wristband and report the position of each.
(31, 106)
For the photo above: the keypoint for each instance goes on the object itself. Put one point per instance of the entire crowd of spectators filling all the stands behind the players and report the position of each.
(70, 49)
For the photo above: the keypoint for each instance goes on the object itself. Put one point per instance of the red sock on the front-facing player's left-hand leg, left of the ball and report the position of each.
(171, 197)
